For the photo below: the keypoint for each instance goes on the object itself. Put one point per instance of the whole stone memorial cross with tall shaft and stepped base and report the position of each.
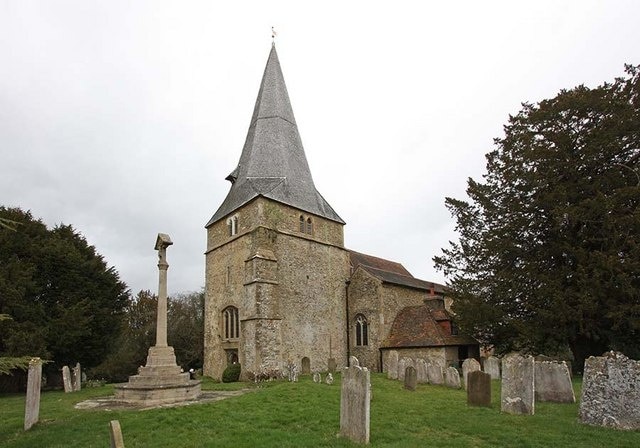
(161, 380)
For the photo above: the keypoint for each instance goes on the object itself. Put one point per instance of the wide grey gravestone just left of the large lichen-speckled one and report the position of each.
(553, 382)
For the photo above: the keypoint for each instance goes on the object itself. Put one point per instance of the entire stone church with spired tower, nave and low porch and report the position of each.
(281, 288)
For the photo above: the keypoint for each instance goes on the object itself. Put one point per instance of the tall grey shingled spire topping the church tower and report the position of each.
(273, 163)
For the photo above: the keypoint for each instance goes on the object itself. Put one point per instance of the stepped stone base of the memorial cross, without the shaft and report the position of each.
(159, 382)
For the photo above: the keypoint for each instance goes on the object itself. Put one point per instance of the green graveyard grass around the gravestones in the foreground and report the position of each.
(283, 414)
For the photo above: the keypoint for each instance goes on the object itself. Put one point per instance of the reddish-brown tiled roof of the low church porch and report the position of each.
(416, 326)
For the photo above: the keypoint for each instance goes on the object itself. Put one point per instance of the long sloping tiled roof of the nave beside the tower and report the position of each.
(391, 272)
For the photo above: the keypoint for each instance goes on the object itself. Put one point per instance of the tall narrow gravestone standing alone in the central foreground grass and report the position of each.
(355, 404)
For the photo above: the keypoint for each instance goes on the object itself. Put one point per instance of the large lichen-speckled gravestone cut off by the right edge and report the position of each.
(611, 392)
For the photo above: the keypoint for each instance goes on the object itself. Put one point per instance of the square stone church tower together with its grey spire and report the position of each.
(276, 266)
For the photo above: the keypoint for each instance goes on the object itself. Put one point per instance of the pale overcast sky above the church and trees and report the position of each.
(123, 118)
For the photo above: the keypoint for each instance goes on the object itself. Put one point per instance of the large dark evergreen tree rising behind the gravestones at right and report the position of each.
(548, 253)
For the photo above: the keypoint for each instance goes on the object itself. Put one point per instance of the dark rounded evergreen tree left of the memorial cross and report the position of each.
(66, 304)
